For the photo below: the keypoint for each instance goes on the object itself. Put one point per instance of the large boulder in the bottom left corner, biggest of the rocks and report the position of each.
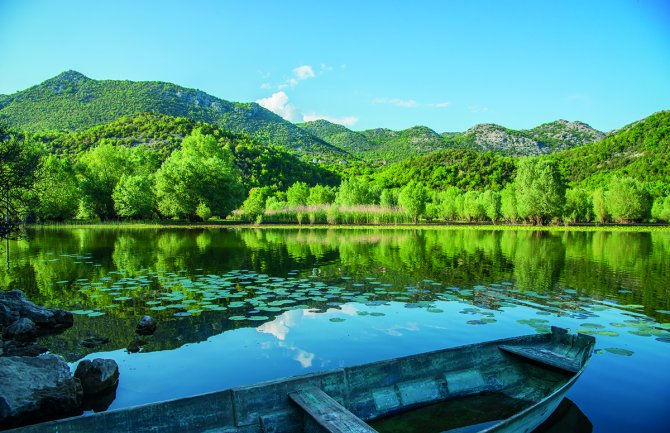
(37, 389)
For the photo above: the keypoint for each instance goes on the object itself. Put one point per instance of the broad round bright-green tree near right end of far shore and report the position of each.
(628, 200)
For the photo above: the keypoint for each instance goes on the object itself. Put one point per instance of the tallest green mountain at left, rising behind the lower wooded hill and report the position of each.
(72, 101)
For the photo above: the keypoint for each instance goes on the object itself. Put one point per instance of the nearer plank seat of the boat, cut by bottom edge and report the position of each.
(328, 413)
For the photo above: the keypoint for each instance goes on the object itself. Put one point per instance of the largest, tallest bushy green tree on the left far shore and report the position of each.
(201, 173)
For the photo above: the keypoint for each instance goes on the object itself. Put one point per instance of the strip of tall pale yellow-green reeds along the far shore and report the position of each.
(333, 215)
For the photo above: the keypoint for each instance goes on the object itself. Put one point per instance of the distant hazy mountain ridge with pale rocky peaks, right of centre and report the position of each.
(392, 146)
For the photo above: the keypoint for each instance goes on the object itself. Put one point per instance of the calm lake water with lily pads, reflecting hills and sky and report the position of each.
(240, 306)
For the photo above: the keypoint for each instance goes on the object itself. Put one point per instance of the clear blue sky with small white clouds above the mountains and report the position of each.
(446, 64)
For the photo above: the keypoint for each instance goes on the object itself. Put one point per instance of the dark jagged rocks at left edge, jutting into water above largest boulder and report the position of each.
(14, 305)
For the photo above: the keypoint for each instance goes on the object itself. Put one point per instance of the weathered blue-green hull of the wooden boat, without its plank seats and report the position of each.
(369, 391)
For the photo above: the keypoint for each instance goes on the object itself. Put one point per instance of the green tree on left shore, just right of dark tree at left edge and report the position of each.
(56, 189)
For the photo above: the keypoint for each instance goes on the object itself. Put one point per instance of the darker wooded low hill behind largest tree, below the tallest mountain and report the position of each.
(261, 165)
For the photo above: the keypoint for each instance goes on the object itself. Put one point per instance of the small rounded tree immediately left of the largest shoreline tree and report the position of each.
(134, 196)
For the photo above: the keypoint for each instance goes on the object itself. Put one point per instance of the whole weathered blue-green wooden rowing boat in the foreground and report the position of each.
(512, 385)
